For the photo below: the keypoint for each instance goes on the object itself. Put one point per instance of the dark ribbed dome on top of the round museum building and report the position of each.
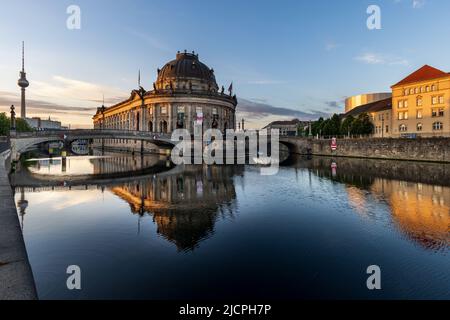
(184, 69)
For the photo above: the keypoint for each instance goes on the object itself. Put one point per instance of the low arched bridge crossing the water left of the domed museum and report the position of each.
(21, 141)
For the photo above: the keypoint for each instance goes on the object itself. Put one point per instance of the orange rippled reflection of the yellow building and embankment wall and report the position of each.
(417, 195)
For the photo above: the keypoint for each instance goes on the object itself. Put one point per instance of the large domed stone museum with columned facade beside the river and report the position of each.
(185, 95)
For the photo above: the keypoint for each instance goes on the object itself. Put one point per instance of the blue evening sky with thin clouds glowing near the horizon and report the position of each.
(286, 59)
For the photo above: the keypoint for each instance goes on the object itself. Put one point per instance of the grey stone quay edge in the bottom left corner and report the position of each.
(16, 277)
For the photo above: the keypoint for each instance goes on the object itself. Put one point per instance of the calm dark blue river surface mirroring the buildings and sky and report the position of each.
(227, 232)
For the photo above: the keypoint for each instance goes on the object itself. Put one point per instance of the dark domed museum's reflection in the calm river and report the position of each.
(184, 206)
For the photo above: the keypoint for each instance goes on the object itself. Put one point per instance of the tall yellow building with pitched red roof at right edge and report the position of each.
(421, 104)
